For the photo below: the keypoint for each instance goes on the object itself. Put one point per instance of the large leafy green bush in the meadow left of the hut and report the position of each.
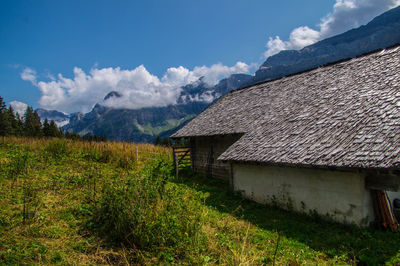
(144, 212)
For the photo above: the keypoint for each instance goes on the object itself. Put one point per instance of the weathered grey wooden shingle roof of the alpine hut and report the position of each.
(345, 115)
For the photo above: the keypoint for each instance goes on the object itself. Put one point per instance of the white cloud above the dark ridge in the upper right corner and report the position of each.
(346, 14)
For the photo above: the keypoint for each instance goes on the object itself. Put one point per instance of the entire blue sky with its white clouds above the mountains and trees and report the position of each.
(66, 55)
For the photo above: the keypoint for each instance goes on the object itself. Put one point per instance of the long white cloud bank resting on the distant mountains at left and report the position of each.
(138, 87)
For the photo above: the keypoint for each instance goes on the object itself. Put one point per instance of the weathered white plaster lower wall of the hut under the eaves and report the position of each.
(342, 195)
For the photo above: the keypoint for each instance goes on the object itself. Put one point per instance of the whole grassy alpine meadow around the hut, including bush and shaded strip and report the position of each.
(64, 202)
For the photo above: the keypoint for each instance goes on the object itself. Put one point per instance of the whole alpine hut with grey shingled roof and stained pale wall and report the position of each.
(319, 140)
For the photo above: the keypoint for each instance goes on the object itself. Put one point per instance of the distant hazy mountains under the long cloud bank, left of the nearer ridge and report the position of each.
(145, 124)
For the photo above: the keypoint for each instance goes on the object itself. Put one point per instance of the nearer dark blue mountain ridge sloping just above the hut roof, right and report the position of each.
(381, 32)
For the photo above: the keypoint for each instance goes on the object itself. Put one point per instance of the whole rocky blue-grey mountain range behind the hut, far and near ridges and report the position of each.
(145, 124)
